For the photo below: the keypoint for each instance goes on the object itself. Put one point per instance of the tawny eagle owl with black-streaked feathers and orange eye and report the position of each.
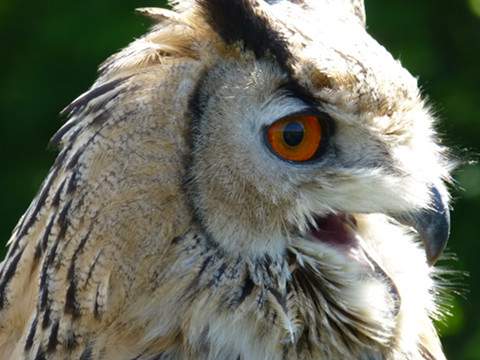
(251, 180)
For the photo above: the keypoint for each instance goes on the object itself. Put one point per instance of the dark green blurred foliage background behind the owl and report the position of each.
(50, 51)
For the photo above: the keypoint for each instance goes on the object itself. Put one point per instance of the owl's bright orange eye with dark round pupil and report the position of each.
(296, 138)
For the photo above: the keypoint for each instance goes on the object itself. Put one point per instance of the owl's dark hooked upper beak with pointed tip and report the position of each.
(432, 225)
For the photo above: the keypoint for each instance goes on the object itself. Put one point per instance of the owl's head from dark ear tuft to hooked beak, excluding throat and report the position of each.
(298, 115)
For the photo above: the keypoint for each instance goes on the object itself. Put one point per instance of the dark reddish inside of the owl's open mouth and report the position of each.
(333, 230)
